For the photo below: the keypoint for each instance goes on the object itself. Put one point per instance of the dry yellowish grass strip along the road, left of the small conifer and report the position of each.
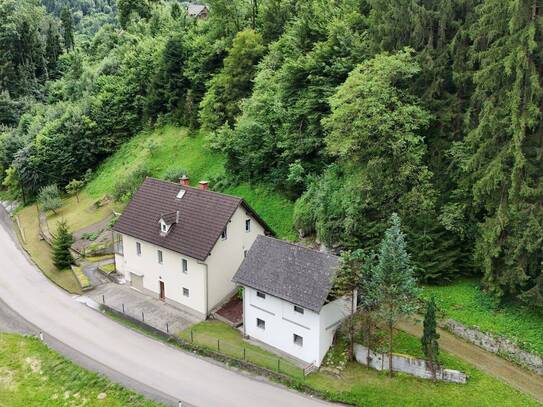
(41, 252)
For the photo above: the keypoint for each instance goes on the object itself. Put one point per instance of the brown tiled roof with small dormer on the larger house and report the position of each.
(203, 216)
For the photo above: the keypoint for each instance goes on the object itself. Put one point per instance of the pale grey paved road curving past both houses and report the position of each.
(129, 357)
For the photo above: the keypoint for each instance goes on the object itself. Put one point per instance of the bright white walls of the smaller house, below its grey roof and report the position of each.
(282, 322)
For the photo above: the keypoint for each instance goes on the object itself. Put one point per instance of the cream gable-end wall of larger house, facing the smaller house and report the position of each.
(227, 255)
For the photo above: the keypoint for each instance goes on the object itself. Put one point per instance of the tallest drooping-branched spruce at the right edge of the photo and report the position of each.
(501, 155)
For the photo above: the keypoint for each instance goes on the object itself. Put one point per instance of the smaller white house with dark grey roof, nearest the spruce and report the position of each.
(286, 298)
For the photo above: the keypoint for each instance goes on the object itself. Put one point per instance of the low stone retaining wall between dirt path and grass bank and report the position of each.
(497, 345)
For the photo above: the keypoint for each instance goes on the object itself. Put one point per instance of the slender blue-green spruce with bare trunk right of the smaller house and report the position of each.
(394, 276)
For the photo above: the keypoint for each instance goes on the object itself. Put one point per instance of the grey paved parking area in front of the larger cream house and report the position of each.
(152, 311)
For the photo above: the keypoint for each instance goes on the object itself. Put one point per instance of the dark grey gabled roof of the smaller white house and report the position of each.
(296, 274)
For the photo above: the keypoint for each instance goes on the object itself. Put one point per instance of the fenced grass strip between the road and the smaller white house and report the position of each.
(207, 333)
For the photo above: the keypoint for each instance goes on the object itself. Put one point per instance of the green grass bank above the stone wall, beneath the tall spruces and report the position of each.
(465, 302)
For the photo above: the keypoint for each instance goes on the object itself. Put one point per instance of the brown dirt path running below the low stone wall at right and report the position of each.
(525, 381)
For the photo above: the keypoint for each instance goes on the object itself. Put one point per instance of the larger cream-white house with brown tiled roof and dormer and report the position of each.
(184, 244)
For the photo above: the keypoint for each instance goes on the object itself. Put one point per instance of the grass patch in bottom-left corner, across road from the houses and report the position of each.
(33, 375)
